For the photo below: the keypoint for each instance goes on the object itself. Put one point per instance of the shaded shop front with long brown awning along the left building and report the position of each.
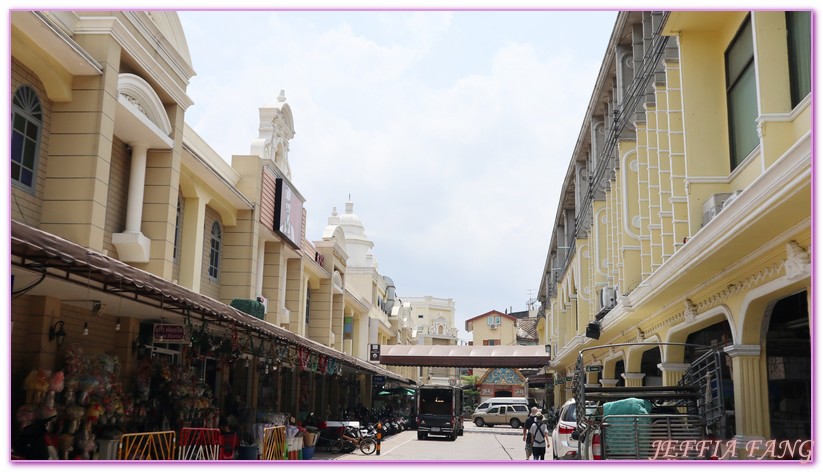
(100, 349)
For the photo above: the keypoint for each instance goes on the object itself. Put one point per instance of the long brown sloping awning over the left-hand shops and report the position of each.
(56, 257)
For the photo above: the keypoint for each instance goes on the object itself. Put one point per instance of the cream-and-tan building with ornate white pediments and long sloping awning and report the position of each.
(131, 237)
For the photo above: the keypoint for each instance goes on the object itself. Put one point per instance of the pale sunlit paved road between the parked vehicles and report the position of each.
(499, 443)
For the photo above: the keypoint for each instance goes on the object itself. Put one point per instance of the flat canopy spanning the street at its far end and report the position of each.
(465, 356)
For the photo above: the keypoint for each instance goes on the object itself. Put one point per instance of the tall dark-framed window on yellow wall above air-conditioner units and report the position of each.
(741, 95)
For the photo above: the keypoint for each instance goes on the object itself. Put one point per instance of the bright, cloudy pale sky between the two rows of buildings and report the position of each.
(450, 131)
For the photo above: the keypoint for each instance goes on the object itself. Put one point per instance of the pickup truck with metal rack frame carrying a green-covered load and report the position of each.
(632, 423)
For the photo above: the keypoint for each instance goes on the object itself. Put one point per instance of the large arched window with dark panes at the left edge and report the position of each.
(27, 123)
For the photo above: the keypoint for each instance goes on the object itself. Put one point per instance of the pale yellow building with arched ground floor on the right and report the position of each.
(685, 214)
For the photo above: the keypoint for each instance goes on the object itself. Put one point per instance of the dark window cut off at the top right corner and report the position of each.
(799, 36)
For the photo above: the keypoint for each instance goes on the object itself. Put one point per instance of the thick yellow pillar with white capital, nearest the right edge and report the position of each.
(751, 421)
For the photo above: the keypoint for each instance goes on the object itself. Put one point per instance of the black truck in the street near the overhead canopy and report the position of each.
(439, 411)
